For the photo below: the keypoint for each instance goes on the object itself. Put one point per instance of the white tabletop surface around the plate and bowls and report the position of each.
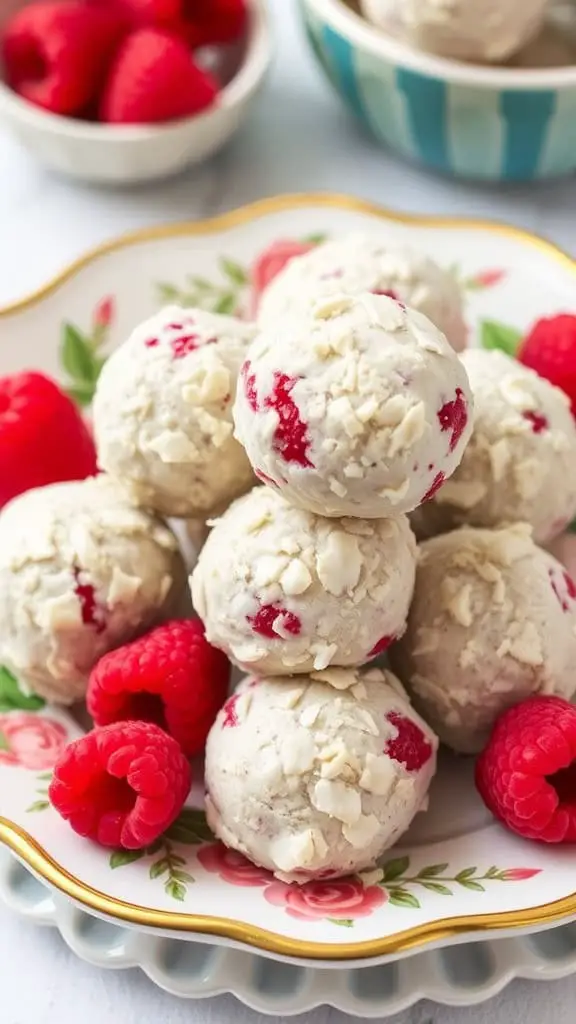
(298, 140)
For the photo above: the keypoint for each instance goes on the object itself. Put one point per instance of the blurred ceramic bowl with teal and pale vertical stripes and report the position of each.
(498, 124)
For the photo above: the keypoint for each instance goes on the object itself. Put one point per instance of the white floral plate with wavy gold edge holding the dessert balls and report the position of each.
(458, 873)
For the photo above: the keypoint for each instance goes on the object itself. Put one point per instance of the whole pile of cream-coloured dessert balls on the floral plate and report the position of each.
(315, 445)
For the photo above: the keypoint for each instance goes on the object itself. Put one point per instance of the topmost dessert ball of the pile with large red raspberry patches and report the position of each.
(354, 408)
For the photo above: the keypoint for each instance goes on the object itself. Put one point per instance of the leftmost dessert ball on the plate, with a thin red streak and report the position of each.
(81, 572)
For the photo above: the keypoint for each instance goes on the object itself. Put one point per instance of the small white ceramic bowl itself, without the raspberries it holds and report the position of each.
(132, 154)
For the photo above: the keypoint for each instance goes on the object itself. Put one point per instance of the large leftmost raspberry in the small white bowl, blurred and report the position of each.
(57, 55)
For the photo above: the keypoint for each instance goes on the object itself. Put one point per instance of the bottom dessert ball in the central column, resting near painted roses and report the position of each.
(316, 777)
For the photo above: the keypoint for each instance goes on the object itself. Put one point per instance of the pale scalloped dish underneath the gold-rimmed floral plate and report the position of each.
(460, 976)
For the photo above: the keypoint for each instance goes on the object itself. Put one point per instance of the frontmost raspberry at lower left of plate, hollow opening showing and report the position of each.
(122, 786)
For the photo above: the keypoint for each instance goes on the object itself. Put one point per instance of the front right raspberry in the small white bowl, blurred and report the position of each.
(154, 79)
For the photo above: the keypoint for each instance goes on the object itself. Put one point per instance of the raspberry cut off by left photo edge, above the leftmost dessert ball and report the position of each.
(44, 439)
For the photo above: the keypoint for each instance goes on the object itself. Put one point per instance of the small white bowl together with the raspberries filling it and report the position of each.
(122, 92)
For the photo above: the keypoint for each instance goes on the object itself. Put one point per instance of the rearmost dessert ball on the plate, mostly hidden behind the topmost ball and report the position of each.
(358, 264)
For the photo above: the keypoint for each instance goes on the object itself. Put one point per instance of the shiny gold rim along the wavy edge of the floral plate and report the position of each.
(43, 865)
